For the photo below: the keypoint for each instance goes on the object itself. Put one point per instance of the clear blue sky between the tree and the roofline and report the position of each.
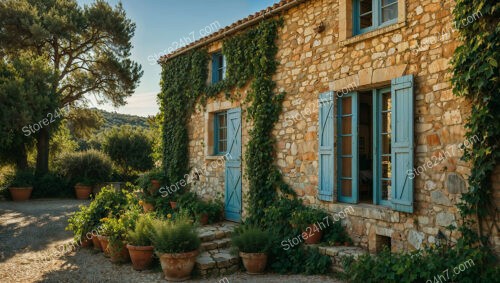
(164, 24)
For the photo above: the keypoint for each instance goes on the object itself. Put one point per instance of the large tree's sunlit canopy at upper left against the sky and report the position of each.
(86, 48)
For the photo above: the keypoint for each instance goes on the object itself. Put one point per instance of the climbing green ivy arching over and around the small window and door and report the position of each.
(251, 58)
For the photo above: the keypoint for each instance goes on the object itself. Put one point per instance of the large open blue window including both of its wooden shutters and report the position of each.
(374, 147)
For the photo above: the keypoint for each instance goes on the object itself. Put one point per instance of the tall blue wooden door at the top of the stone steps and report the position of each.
(232, 182)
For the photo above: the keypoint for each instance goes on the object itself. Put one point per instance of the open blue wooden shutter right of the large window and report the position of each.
(402, 143)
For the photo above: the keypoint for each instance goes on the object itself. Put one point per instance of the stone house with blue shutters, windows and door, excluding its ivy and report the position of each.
(369, 119)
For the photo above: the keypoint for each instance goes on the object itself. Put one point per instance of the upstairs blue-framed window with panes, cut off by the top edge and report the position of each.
(372, 14)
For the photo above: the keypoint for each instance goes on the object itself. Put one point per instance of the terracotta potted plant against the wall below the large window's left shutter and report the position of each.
(307, 220)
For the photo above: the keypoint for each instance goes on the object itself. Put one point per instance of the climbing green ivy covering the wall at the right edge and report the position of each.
(475, 77)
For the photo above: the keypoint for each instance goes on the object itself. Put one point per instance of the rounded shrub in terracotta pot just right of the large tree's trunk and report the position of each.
(85, 169)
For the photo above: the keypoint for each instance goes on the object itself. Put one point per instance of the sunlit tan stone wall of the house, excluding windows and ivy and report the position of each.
(312, 62)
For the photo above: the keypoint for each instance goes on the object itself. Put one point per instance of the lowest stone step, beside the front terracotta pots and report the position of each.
(216, 262)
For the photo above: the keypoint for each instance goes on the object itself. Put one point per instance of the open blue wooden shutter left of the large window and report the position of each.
(326, 142)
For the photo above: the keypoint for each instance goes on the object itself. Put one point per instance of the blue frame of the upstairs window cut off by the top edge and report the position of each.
(376, 17)
